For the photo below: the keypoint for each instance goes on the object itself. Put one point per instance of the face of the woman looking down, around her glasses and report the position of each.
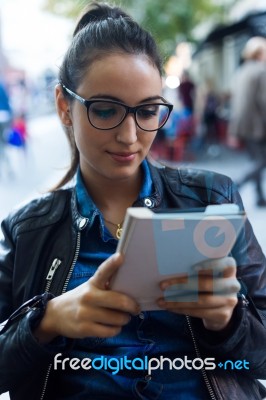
(116, 153)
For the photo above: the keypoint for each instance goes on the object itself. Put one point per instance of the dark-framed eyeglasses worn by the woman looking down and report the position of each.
(108, 114)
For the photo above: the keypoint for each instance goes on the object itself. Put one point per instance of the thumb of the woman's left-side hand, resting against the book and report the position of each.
(106, 270)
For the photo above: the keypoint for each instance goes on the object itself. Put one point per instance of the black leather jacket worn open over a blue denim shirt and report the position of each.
(48, 229)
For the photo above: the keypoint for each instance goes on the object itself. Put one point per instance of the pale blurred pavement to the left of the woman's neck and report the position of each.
(31, 173)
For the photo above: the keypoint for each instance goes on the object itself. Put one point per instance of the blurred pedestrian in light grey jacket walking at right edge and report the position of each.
(248, 113)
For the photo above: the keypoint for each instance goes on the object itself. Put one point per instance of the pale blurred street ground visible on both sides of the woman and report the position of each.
(30, 173)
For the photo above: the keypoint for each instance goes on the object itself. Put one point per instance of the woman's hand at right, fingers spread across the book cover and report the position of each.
(214, 296)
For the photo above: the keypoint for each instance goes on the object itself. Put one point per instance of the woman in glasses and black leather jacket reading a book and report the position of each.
(58, 254)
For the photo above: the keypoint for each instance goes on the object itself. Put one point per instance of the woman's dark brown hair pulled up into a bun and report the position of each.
(101, 29)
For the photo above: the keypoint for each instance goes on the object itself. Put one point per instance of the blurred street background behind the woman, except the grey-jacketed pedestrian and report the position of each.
(201, 41)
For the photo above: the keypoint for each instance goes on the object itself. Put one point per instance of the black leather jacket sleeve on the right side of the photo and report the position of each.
(245, 337)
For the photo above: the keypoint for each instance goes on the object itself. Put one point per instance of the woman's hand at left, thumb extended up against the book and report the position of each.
(90, 309)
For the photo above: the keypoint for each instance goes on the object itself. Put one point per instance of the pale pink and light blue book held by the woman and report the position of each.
(164, 244)
